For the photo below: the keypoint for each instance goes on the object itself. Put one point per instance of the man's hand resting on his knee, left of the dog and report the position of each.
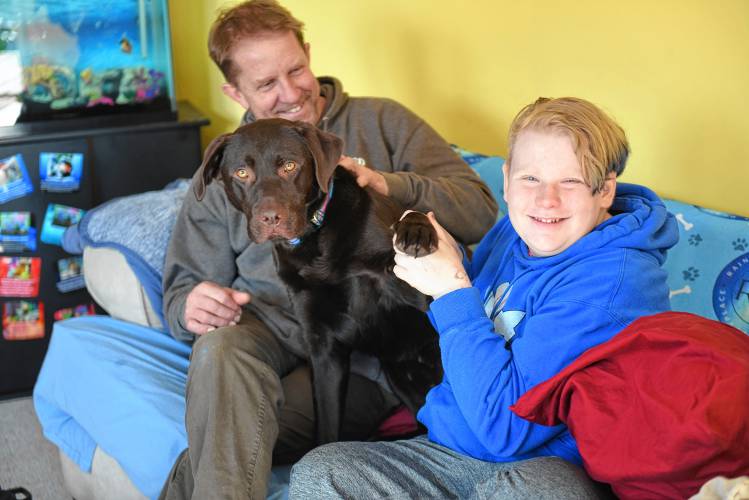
(210, 306)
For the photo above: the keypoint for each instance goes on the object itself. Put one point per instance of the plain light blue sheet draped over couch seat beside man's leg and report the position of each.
(120, 386)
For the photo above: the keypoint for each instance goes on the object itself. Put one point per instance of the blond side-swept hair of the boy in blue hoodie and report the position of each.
(599, 142)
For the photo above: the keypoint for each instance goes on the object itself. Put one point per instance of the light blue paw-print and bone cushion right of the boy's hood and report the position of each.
(708, 270)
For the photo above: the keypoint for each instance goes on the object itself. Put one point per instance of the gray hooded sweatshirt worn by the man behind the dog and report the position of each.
(209, 241)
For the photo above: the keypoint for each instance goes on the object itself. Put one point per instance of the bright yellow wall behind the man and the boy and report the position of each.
(674, 73)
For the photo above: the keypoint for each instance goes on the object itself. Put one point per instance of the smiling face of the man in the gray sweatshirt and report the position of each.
(274, 78)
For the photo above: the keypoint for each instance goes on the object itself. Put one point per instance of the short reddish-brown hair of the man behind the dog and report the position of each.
(245, 20)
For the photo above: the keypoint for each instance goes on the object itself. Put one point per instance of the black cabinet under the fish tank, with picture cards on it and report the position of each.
(117, 161)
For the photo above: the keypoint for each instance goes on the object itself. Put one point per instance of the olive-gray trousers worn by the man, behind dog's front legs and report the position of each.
(249, 405)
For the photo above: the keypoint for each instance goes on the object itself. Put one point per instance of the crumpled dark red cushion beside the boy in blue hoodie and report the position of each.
(659, 409)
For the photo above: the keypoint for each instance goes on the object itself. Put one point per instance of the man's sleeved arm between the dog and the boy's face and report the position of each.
(420, 168)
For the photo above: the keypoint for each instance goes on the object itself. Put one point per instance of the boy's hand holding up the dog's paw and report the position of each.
(438, 273)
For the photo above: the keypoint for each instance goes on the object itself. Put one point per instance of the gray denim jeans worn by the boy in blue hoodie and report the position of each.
(418, 468)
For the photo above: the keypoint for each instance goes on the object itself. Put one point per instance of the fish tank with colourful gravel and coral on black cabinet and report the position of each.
(69, 63)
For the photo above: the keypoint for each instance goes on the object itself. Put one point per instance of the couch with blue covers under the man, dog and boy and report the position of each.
(110, 394)
